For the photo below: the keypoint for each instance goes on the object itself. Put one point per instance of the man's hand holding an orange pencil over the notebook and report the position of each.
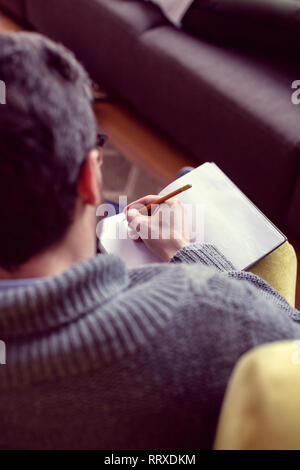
(164, 231)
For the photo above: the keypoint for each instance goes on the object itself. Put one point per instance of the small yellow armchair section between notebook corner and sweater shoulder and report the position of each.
(279, 269)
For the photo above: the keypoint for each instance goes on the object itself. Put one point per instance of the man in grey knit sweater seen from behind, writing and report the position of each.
(98, 355)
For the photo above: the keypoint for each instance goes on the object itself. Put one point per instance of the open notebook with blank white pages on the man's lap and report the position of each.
(231, 222)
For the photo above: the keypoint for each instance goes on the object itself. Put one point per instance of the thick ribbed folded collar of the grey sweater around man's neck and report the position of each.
(53, 302)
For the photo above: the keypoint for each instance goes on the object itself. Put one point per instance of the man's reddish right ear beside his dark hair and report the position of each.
(89, 180)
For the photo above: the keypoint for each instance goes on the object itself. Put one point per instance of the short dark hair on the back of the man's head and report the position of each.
(47, 127)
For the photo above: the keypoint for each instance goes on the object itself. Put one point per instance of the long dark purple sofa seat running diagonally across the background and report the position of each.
(218, 104)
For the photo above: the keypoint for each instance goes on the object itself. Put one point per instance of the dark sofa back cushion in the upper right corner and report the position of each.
(270, 24)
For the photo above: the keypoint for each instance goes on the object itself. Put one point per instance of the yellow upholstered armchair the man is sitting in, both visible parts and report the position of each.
(261, 409)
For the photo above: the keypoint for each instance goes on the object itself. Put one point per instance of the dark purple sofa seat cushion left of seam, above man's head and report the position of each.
(102, 33)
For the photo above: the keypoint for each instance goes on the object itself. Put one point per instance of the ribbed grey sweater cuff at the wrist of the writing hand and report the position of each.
(202, 253)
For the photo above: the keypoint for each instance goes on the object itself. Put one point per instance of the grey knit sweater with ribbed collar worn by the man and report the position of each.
(110, 358)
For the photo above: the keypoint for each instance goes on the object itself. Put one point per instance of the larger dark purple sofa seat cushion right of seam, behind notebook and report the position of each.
(224, 106)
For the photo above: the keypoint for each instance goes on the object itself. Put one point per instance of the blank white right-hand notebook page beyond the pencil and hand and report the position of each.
(231, 221)
